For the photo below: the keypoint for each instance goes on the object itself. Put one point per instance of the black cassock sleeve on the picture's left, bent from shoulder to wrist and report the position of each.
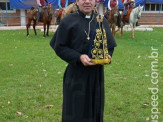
(60, 43)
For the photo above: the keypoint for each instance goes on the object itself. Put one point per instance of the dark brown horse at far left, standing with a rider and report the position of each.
(45, 18)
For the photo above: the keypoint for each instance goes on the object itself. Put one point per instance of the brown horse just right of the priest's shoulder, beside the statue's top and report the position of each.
(112, 17)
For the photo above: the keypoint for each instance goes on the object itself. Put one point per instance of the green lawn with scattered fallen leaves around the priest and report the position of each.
(31, 78)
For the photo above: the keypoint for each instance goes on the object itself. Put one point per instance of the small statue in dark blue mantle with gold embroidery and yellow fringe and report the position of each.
(98, 49)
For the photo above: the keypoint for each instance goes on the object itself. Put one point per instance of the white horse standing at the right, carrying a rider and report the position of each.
(133, 19)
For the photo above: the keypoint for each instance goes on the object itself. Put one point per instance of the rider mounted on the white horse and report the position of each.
(127, 5)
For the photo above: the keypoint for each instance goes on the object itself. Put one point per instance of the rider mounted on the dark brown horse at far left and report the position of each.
(41, 4)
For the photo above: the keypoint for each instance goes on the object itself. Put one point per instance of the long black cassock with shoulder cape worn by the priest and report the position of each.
(83, 87)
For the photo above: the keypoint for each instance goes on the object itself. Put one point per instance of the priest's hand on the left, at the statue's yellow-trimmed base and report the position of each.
(86, 61)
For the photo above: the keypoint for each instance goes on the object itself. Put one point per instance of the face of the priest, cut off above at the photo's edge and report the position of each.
(86, 6)
